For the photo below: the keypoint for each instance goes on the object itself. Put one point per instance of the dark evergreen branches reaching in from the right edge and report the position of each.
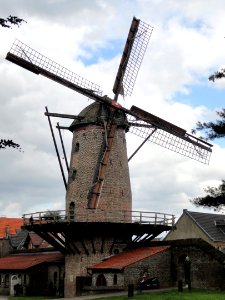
(215, 197)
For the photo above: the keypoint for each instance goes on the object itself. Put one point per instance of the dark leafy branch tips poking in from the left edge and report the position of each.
(11, 20)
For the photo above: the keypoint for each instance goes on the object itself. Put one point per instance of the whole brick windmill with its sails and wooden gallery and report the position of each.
(99, 220)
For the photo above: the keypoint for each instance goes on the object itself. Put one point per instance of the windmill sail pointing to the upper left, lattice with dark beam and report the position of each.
(37, 63)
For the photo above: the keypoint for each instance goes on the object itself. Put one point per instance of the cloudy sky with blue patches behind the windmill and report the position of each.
(87, 37)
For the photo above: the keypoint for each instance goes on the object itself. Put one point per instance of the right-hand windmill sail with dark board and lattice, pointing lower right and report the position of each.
(167, 135)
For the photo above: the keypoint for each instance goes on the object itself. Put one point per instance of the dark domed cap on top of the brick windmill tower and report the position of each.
(96, 113)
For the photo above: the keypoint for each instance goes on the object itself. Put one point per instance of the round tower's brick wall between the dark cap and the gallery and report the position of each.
(116, 192)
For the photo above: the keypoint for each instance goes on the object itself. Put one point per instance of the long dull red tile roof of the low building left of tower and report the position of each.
(25, 261)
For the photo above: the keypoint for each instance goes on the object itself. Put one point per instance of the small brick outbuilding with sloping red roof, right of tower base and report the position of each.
(130, 267)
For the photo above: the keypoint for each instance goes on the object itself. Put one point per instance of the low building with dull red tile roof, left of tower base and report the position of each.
(32, 274)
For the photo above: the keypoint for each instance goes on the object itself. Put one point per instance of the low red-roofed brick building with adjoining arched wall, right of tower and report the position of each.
(165, 260)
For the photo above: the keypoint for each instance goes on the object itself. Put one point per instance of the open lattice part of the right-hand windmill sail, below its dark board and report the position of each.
(186, 145)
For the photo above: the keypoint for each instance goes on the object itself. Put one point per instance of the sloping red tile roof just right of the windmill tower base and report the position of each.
(127, 258)
